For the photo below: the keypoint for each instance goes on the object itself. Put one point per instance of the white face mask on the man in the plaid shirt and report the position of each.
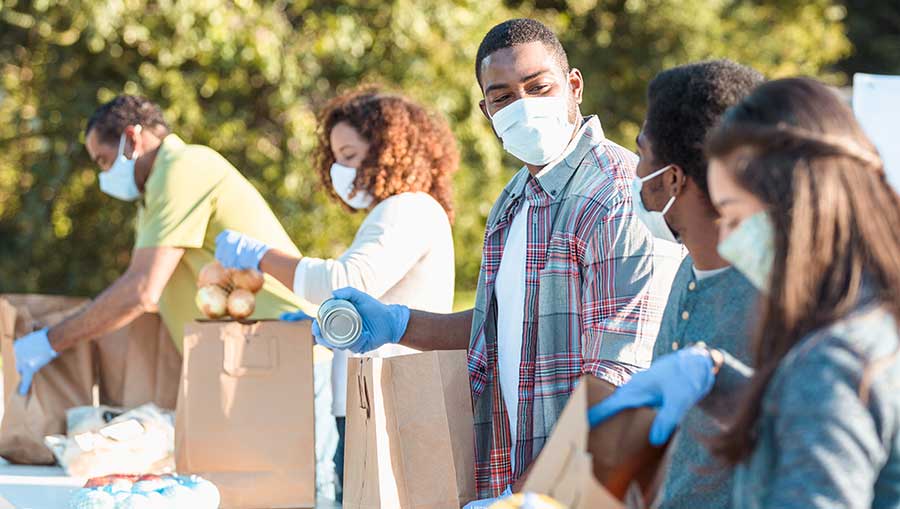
(536, 130)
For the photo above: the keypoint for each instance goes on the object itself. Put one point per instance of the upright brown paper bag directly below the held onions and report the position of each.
(245, 412)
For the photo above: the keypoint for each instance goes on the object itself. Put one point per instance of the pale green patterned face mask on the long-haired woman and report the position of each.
(750, 248)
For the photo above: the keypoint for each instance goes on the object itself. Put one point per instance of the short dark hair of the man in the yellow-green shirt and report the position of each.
(111, 119)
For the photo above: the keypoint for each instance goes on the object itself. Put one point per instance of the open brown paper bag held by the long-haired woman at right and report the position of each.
(597, 468)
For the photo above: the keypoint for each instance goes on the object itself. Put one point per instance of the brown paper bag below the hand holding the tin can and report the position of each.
(410, 432)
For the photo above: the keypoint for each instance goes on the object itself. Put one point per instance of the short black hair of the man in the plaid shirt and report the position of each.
(520, 31)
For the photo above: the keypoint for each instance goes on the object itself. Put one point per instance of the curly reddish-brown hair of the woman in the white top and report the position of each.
(411, 149)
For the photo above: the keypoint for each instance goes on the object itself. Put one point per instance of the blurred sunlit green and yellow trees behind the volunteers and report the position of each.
(247, 79)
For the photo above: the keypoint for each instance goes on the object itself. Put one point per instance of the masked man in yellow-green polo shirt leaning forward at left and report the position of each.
(186, 195)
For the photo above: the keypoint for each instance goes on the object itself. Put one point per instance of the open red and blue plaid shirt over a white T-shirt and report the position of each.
(589, 307)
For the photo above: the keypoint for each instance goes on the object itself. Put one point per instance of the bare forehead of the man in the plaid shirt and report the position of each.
(516, 62)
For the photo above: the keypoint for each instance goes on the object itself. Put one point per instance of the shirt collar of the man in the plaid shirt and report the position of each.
(554, 177)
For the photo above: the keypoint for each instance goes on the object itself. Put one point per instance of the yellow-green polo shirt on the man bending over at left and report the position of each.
(192, 194)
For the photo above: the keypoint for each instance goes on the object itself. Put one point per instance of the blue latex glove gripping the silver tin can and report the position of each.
(382, 323)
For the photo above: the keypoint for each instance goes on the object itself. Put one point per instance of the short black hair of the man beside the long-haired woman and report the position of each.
(685, 102)
